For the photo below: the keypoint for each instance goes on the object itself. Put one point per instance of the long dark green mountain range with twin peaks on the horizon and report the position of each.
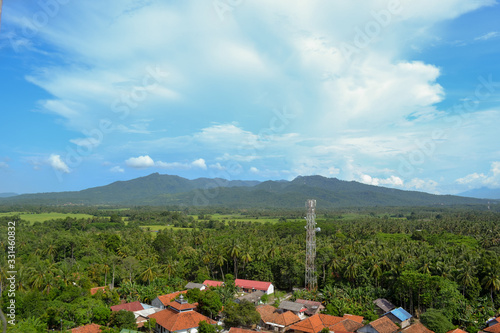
(160, 190)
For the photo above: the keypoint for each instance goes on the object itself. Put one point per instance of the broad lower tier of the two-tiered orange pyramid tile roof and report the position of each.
(178, 321)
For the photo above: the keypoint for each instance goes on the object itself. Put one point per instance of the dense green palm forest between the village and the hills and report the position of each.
(421, 258)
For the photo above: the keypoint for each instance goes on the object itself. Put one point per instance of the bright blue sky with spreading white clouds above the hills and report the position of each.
(402, 94)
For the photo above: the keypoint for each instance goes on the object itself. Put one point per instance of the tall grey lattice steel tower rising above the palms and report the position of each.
(311, 279)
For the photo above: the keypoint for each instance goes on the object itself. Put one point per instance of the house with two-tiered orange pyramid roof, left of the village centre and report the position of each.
(180, 317)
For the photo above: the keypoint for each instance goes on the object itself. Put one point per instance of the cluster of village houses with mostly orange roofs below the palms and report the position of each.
(173, 313)
